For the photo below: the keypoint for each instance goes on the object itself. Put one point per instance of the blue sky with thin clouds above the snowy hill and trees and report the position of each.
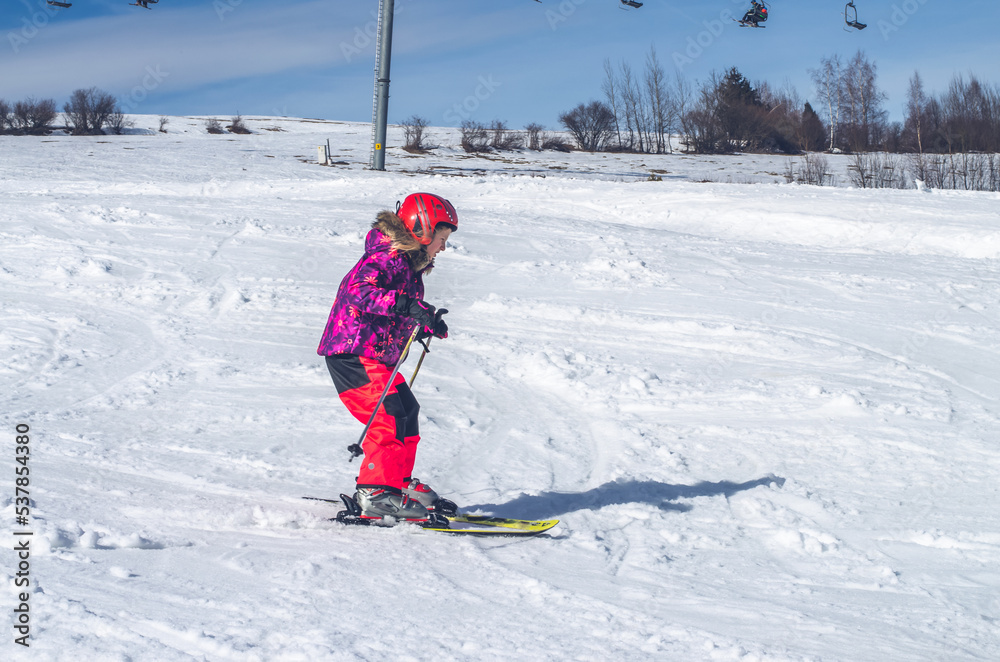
(517, 61)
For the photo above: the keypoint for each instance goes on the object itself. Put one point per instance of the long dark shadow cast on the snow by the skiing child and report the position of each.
(549, 505)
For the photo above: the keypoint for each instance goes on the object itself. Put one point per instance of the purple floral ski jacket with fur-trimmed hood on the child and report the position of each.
(362, 321)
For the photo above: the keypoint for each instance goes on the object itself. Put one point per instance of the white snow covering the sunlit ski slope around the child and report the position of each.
(765, 414)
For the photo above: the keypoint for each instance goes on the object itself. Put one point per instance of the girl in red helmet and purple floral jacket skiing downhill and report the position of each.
(379, 303)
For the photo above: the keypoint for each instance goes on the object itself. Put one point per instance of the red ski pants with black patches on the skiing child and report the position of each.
(390, 446)
